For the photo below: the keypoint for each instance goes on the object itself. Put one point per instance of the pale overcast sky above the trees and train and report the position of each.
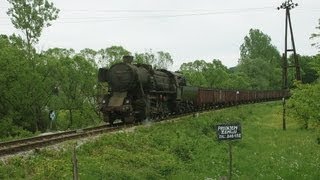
(188, 30)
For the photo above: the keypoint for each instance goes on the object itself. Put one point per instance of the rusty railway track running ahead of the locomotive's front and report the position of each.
(21, 145)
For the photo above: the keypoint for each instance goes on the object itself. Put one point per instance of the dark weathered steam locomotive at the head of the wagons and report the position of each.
(137, 91)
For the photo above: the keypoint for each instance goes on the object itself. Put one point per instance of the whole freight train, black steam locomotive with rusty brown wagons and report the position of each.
(137, 92)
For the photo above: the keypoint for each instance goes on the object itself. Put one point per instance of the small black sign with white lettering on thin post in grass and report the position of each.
(229, 132)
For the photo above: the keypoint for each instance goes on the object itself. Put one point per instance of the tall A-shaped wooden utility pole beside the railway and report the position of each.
(287, 6)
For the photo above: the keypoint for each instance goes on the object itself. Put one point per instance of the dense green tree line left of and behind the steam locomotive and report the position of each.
(57, 79)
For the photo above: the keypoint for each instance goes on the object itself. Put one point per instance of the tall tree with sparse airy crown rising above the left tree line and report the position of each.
(31, 16)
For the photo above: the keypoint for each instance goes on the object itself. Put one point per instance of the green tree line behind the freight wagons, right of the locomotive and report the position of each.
(259, 67)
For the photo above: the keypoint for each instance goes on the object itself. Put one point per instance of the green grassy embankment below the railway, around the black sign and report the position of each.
(186, 149)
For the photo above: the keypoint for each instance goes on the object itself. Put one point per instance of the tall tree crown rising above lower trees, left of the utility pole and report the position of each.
(257, 45)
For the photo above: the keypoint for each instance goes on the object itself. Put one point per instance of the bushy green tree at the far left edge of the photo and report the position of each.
(11, 60)
